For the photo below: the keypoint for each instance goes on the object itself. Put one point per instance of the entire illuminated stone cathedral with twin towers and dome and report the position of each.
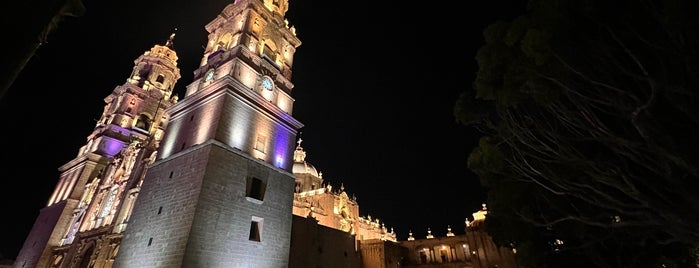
(219, 177)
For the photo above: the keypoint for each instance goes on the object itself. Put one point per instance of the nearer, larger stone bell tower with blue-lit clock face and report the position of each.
(220, 192)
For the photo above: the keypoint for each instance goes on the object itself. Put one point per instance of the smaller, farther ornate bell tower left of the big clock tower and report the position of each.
(82, 223)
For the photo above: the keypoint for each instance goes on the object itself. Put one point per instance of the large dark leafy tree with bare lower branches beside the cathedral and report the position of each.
(588, 111)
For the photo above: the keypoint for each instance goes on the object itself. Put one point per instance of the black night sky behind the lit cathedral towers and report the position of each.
(375, 84)
